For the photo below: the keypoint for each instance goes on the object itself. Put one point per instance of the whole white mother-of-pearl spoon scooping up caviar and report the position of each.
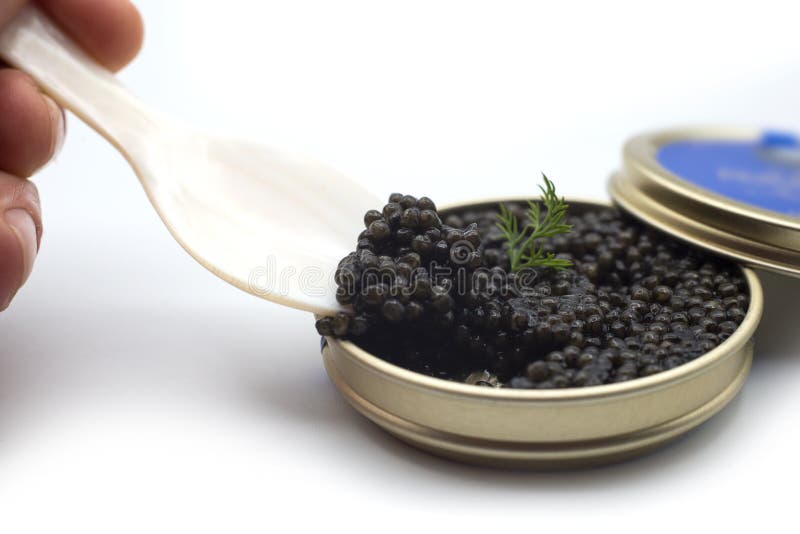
(271, 223)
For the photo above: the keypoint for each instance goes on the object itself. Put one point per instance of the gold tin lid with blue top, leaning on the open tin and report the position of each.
(735, 192)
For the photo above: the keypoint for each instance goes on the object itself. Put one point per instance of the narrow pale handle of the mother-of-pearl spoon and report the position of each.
(34, 44)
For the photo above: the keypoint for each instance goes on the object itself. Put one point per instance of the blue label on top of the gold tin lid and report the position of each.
(763, 173)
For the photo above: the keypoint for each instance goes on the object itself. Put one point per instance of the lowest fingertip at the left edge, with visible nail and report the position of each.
(20, 234)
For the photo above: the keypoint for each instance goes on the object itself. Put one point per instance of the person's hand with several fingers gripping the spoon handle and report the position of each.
(32, 125)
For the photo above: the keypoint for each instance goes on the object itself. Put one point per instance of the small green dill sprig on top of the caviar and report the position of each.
(523, 249)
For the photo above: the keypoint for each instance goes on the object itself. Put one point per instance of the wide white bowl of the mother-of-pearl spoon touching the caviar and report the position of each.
(270, 222)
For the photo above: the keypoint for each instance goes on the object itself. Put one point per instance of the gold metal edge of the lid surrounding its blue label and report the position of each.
(743, 232)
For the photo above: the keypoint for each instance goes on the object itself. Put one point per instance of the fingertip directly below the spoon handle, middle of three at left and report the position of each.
(32, 129)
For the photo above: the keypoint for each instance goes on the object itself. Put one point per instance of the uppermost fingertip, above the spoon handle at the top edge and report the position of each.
(110, 30)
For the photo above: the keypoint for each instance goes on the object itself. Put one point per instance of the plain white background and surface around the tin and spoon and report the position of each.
(138, 393)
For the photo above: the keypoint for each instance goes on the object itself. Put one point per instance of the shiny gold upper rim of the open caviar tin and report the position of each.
(739, 338)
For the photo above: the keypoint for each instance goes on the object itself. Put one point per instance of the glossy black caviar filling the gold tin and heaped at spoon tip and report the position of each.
(433, 293)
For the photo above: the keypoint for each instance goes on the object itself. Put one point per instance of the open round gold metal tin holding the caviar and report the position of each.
(544, 428)
